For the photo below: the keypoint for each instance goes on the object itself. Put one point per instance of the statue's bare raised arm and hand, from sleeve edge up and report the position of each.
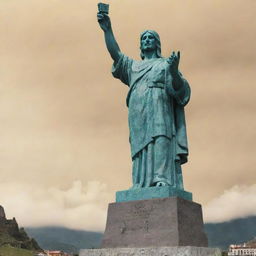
(112, 46)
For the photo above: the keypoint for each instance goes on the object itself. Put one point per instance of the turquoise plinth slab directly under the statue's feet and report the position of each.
(150, 193)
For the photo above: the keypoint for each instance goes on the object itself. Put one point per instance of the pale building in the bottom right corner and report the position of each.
(246, 249)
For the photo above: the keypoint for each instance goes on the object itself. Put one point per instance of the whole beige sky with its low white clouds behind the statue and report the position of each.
(64, 148)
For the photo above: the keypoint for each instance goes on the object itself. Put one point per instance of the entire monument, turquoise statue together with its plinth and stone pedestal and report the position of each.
(156, 212)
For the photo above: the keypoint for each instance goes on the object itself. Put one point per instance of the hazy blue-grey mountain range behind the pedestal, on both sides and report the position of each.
(219, 234)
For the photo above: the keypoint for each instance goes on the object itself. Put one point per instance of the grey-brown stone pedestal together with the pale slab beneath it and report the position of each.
(170, 226)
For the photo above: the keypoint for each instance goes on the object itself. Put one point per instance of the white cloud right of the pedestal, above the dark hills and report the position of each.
(237, 202)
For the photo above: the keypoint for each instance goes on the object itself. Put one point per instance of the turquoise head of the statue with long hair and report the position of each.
(153, 42)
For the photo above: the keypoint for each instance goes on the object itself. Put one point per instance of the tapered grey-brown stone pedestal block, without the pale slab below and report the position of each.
(161, 222)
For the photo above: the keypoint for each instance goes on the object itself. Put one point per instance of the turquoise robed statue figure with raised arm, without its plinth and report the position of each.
(156, 99)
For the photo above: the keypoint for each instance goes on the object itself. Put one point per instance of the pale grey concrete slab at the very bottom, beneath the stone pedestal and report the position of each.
(154, 251)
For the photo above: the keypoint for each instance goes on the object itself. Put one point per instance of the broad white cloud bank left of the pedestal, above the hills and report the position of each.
(78, 207)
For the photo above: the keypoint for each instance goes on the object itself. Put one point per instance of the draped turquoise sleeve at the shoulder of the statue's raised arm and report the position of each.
(122, 69)
